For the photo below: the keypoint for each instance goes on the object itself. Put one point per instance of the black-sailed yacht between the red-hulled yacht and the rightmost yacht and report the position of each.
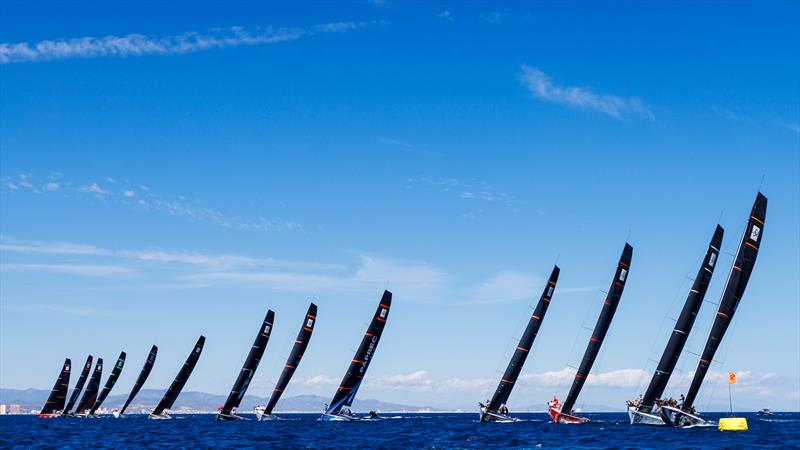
(644, 411)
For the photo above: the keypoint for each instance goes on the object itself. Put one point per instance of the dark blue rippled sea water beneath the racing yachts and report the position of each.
(398, 431)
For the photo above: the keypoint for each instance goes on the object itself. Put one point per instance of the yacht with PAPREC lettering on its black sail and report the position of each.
(339, 408)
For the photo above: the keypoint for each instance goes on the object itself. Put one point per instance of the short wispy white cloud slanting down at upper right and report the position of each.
(540, 85)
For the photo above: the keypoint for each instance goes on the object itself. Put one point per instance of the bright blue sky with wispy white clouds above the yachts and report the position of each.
(171, 170)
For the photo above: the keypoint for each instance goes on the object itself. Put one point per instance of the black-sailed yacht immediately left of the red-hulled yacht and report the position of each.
(495, 410)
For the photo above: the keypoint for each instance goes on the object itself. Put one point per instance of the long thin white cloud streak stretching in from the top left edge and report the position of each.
(139, 44)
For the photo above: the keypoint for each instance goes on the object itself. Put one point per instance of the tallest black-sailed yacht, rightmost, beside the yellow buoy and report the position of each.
(685, 415)
